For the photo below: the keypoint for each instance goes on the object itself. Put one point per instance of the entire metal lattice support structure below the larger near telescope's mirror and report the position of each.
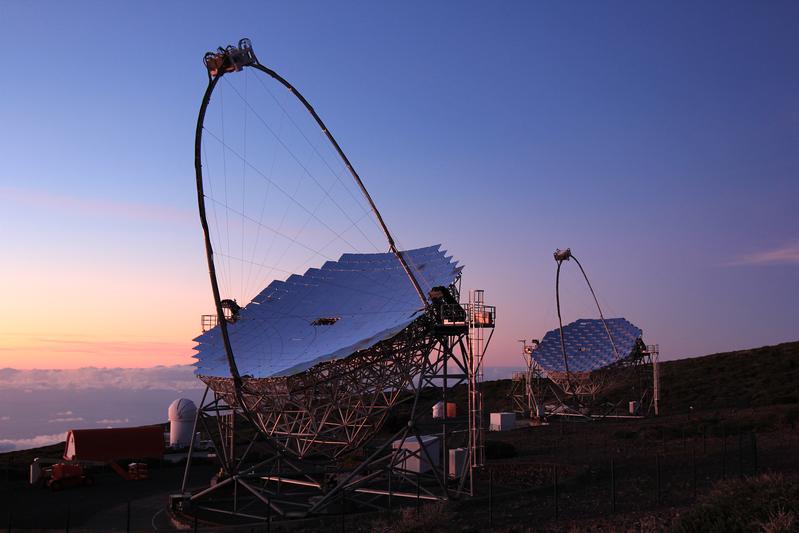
(347, 435)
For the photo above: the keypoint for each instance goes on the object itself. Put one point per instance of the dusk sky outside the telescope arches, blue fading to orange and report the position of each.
(657, 140)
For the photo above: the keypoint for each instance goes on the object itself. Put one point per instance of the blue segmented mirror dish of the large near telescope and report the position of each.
(325, 314)
